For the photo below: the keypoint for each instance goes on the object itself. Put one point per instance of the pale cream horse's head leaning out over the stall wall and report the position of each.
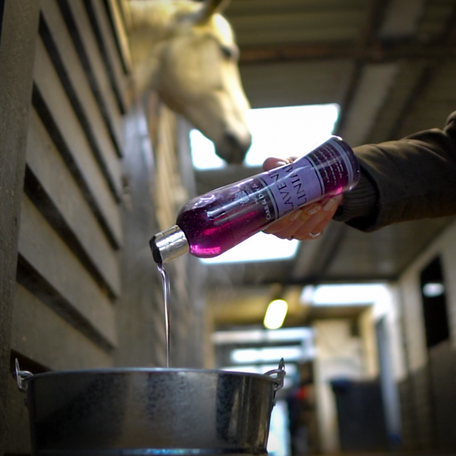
(185, 50)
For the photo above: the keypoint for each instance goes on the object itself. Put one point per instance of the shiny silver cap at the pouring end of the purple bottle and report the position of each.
(169, 244)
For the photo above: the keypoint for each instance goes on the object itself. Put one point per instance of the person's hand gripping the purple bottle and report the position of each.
(307, 222)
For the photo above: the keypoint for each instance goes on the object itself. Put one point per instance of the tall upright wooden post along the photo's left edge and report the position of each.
(19, 24)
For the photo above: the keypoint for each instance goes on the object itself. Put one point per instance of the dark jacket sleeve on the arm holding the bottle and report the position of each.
(409, 179)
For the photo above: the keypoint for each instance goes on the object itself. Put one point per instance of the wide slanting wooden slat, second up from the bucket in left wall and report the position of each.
(60, 275)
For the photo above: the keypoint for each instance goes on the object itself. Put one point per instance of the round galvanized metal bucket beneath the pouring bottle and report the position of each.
(142, 411)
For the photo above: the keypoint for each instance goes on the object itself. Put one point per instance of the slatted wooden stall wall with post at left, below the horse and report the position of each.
(91, 173)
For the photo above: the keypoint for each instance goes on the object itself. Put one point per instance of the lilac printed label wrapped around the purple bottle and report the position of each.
(306, 180)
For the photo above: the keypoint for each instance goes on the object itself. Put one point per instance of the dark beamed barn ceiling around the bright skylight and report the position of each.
(391, 67)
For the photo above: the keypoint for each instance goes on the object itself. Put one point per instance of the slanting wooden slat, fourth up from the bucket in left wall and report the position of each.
(75, 145)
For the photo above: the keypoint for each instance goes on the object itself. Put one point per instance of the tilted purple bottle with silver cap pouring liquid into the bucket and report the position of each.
(213, 223)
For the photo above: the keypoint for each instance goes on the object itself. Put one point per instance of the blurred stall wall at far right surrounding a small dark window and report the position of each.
(428, 398)
